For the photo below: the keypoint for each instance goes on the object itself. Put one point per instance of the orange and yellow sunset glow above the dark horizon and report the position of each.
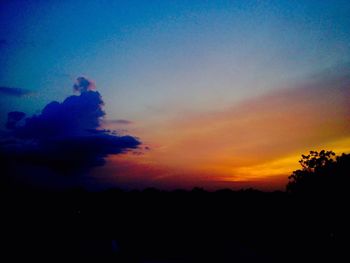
(258, 142)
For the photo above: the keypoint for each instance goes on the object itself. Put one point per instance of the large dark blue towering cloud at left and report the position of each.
(66, 136)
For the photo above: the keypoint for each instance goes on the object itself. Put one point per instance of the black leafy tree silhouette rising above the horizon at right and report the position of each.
(322, 172)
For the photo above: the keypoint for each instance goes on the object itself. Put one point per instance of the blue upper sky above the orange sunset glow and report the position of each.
(148, 54)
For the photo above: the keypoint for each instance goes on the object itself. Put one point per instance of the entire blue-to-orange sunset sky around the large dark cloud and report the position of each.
(216, 94)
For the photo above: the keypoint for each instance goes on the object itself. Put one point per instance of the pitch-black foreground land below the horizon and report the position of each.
(179, 226)
